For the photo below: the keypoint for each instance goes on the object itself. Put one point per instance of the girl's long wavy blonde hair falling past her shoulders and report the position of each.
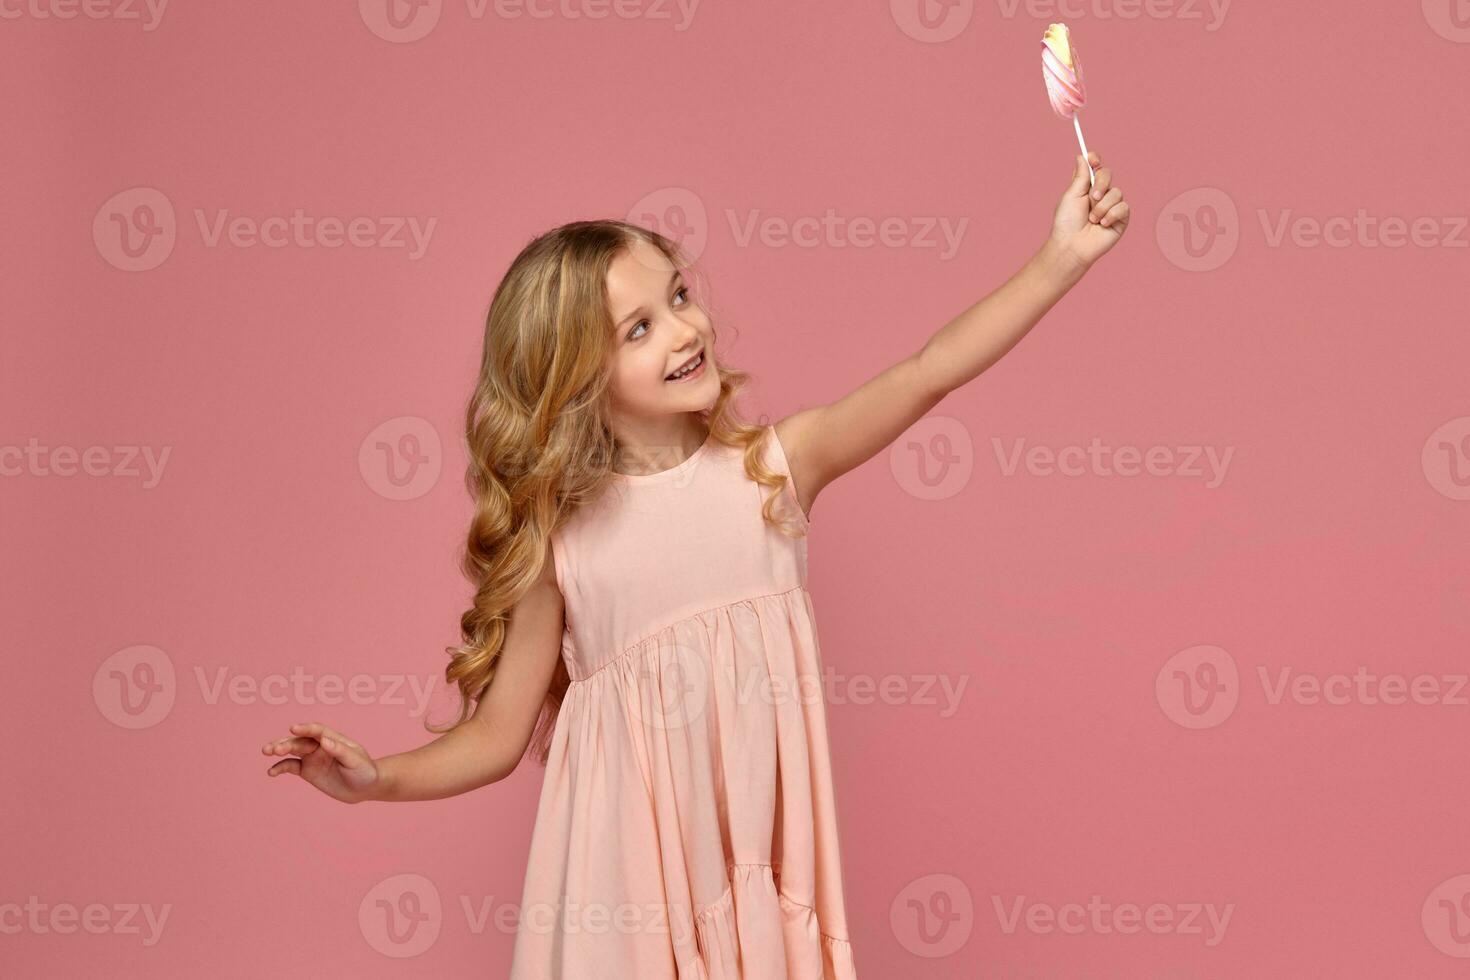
(539, 439)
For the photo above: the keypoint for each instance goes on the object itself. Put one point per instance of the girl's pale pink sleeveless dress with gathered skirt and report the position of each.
(687, 826)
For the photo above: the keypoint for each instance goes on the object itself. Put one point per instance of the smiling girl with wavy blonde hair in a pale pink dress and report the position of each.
(642, 610)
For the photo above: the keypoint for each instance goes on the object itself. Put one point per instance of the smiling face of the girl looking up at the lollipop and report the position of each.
(658, 330)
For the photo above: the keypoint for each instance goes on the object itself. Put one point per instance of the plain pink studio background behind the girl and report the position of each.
(1071, 768)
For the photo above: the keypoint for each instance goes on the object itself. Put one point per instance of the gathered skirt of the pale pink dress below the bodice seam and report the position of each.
(720, 724)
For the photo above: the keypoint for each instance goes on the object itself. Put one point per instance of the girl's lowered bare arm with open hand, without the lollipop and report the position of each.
(484, 750)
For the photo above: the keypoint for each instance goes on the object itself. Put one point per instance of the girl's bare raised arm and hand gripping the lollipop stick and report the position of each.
(827, 442)
